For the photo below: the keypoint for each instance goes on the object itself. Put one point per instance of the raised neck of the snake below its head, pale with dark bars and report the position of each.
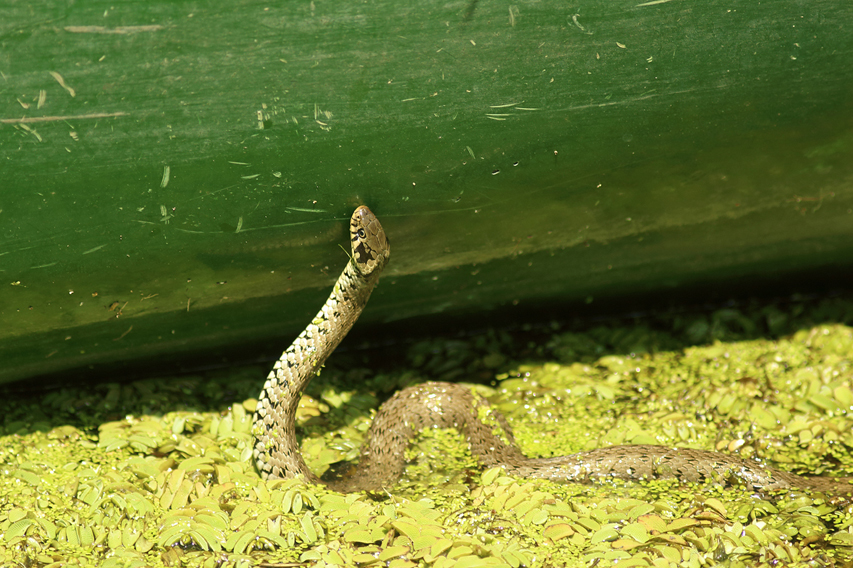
(277, 449)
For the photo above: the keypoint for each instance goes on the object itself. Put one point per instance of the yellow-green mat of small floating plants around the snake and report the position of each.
(158, 472)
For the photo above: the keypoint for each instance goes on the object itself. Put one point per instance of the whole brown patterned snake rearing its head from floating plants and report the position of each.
(449, 405)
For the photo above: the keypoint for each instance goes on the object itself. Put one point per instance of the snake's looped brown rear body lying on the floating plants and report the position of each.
(448, 405)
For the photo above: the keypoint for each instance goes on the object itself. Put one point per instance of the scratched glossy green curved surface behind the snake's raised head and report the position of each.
(523, 152)
